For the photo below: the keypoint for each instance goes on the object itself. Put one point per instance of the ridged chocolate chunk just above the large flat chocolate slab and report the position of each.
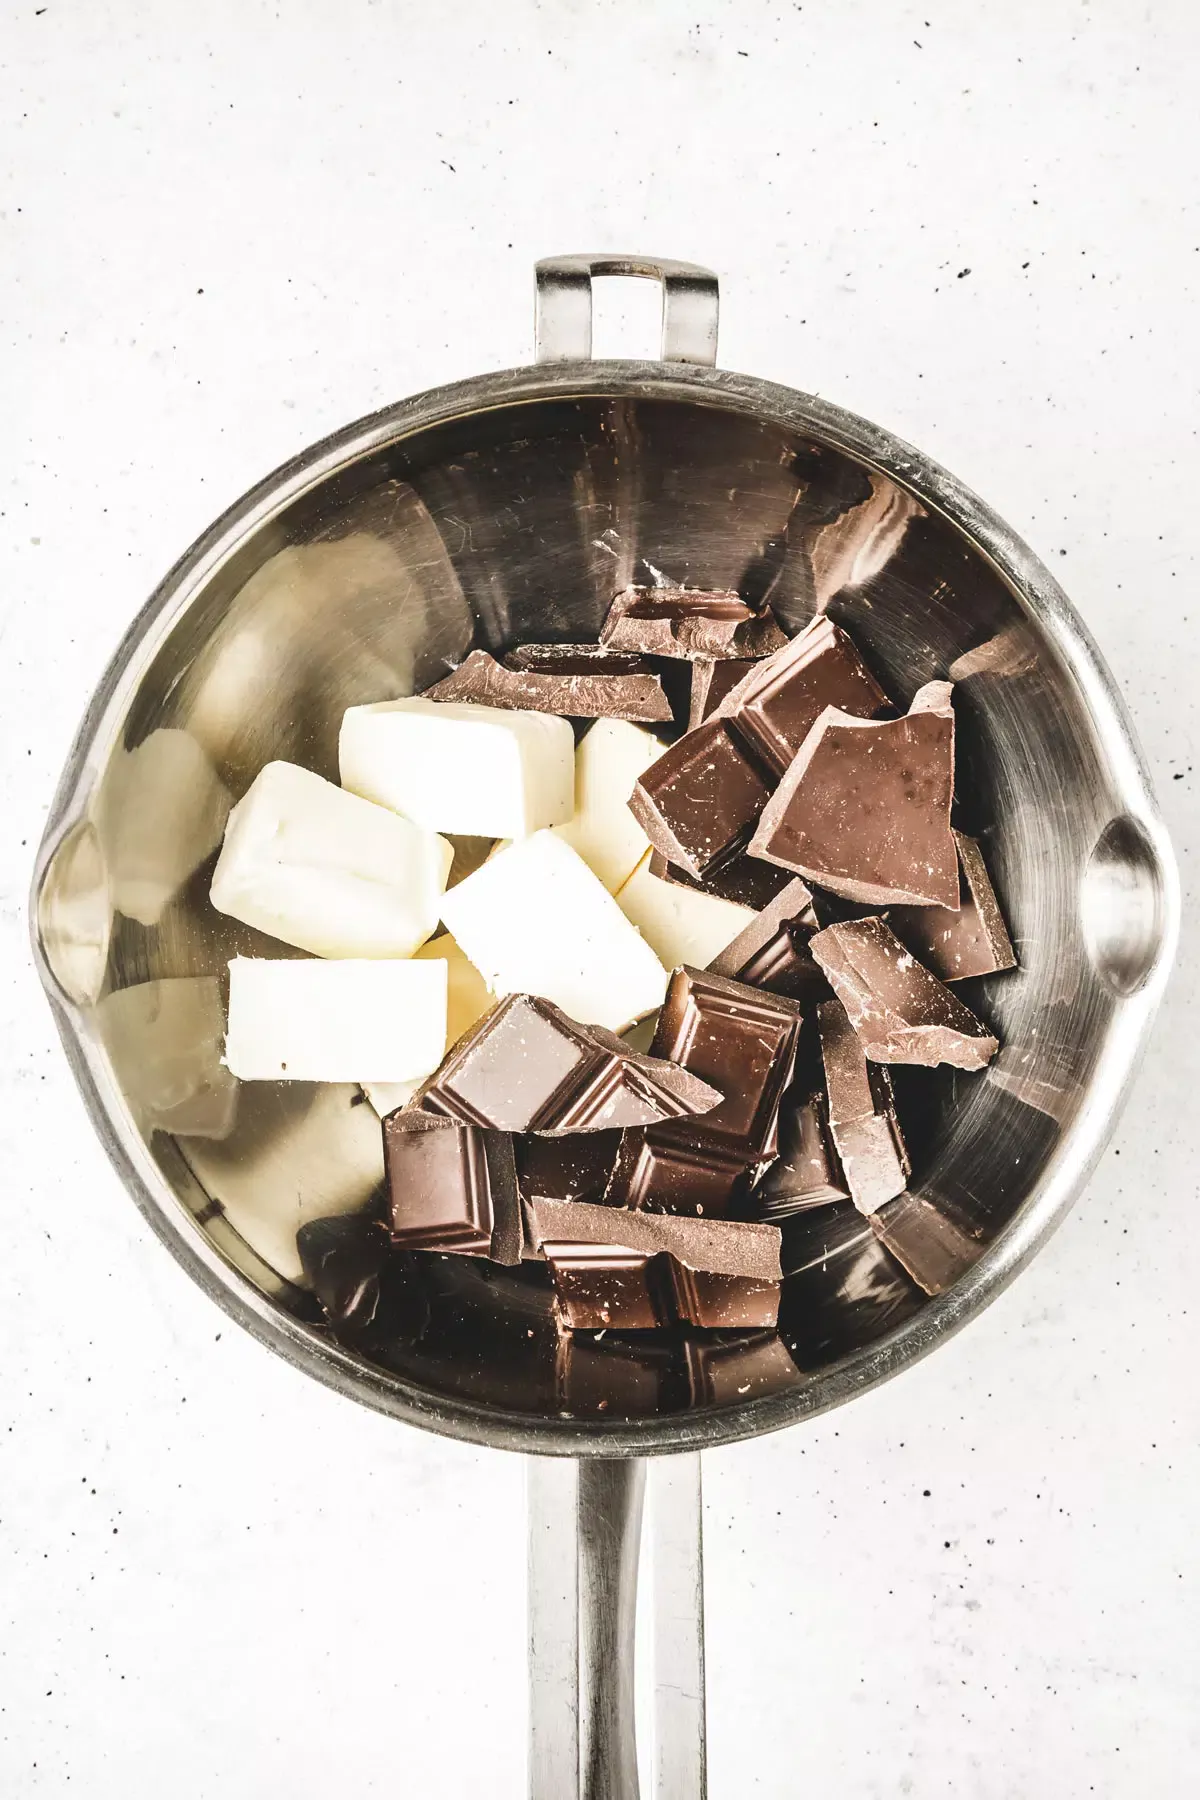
(780, 701)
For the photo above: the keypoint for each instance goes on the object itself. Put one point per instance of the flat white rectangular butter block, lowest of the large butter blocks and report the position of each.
(336, 1021)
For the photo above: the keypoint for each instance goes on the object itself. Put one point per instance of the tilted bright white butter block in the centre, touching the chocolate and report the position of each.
(535, 921)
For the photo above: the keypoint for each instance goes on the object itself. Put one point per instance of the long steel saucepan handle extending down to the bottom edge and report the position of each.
(586, 1529)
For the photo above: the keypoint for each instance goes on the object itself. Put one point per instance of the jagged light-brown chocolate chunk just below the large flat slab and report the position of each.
(900, 1012)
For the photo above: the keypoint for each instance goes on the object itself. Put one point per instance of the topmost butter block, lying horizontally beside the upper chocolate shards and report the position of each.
(476, 771)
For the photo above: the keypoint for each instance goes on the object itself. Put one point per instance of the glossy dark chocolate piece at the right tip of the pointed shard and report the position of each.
(710, 1025)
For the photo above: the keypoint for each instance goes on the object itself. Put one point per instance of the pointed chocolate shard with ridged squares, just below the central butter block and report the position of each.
(526, 1066)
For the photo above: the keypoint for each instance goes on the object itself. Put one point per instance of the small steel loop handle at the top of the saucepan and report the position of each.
(564, 318)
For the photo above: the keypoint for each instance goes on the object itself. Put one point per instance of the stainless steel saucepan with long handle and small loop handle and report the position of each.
(510, 508)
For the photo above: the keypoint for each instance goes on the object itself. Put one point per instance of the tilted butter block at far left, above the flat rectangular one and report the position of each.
(327, 870)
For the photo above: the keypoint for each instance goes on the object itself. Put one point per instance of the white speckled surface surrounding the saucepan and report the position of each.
(228, 229)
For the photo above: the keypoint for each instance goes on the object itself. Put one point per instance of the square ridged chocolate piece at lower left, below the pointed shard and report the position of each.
(452, 1187)
